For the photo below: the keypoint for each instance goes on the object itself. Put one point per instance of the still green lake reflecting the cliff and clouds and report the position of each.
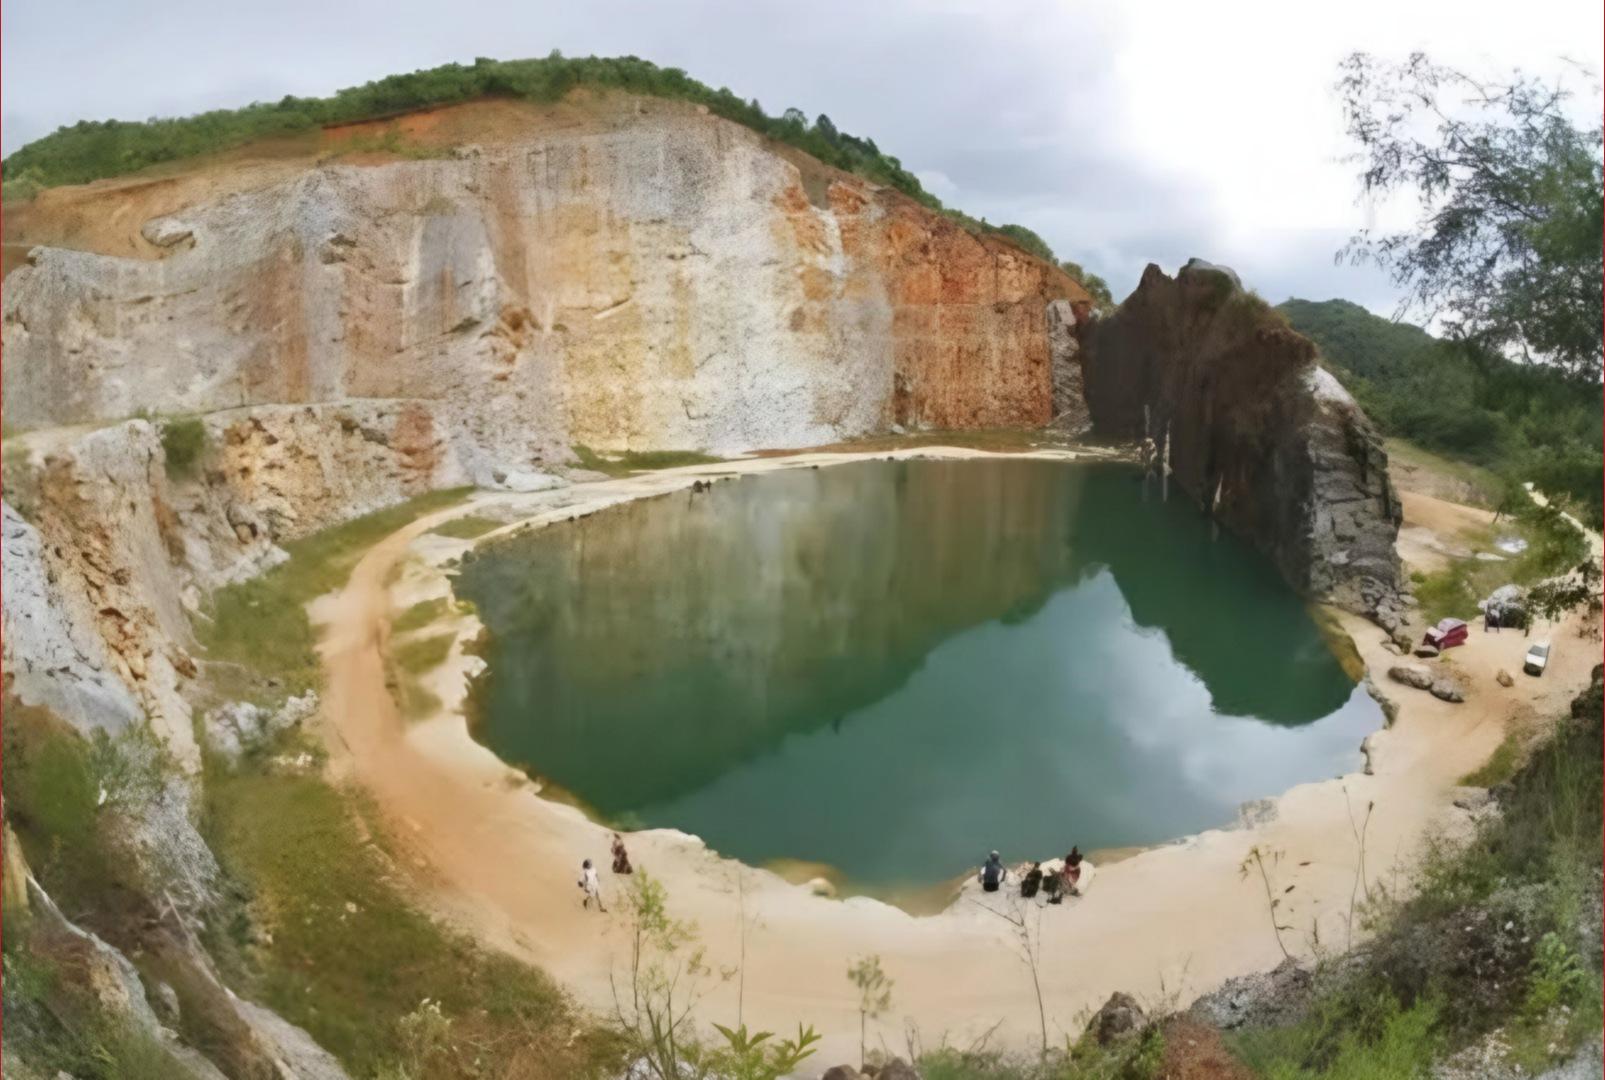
(896, 667)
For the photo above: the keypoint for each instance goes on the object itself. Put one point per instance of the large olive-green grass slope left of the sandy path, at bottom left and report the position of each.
(349, 959)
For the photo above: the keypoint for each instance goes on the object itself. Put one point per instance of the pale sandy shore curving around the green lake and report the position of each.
(1166, 925)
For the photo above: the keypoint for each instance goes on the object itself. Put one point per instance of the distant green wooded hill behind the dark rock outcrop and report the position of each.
(1526, 421)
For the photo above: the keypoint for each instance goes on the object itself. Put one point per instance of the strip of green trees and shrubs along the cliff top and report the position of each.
(94, 150)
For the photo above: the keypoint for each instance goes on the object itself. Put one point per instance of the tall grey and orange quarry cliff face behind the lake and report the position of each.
(641, 277)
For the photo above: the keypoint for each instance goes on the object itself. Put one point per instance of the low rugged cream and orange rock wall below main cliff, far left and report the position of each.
(107, 554)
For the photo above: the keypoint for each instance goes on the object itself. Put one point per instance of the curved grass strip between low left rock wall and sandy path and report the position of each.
(261, 625)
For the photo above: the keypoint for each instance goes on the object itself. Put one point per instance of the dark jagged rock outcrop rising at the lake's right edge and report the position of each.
(1259, 434)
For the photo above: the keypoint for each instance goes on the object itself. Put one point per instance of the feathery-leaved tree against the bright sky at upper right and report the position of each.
(1508, 251)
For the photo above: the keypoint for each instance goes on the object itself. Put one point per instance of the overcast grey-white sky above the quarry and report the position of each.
(1124, 134)
